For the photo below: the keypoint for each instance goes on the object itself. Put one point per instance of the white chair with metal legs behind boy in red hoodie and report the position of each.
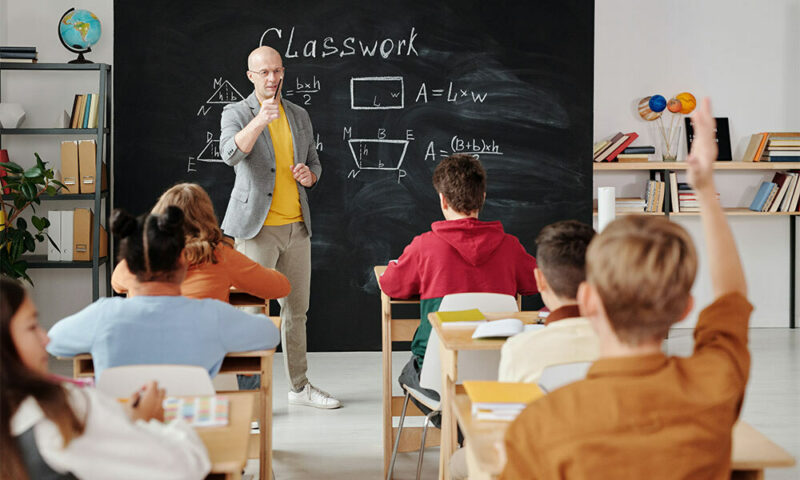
(475, 365)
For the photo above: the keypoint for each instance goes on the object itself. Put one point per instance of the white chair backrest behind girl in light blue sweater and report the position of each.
(122, 382)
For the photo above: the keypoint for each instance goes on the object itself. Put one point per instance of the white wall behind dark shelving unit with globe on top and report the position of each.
(43, 95)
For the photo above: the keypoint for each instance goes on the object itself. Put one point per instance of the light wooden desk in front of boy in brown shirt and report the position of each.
(752, 451)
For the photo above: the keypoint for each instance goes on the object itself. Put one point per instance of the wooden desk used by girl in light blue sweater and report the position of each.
(254, 362)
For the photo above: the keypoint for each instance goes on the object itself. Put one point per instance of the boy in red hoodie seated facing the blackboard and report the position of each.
(460, 254)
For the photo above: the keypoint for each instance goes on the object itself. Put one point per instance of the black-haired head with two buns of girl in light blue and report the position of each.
(151, 244)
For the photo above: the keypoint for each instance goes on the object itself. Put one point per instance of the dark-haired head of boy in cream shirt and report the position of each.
(561, 255)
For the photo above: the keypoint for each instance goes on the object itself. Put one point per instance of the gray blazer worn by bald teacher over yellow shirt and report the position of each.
(251, 196)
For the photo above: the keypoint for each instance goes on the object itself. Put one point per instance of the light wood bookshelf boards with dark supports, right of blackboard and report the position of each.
(666, 167)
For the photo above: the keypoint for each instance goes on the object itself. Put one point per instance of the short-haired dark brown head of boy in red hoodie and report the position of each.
(461, 179)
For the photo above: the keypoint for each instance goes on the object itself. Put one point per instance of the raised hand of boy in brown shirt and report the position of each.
(704, 148)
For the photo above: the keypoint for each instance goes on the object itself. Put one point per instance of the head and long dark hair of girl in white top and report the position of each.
(18, 381)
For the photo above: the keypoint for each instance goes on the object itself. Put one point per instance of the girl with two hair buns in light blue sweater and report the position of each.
(158, 325)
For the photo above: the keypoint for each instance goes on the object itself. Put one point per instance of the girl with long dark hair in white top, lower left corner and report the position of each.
(55, 430)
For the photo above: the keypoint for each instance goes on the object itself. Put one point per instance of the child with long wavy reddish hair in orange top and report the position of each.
(214, 265)
